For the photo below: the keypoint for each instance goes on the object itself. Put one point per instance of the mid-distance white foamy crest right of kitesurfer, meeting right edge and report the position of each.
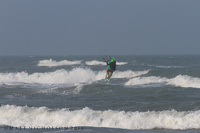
(180, 81)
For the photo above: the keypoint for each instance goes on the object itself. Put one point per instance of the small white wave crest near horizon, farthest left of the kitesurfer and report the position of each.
(53, 63)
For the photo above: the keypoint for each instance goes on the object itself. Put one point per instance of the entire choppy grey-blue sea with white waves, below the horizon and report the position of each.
(146, 94)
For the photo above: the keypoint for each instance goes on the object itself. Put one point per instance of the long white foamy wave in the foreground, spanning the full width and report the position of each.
(42, 116)
